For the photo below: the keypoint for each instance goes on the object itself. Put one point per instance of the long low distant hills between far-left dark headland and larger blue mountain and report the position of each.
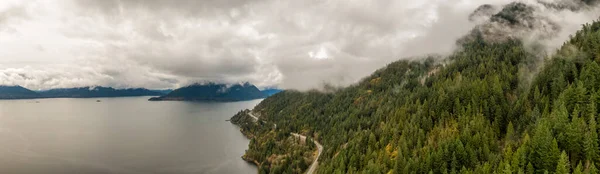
(91, 92)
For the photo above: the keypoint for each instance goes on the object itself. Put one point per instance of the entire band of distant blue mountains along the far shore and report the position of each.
(196, 92)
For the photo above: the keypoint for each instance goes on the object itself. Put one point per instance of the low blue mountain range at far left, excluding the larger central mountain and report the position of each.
(18, 92)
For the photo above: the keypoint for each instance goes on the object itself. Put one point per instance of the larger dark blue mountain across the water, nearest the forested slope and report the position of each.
(216, 92)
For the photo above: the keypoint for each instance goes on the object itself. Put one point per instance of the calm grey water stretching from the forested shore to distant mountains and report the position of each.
(120, 135)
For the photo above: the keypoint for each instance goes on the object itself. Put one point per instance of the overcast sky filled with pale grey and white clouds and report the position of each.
(292, 44)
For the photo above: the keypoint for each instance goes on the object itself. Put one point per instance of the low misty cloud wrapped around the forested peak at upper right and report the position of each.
(544, 24)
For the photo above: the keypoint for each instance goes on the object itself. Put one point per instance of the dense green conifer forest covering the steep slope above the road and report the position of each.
(490, 107)
